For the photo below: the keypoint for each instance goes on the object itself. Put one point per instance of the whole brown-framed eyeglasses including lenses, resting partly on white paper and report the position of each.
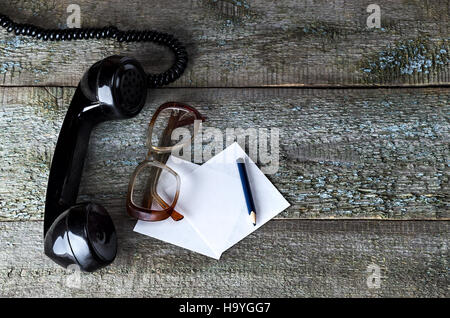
(154, 187)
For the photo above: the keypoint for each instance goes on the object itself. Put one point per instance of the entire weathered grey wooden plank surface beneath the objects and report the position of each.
(349, 150)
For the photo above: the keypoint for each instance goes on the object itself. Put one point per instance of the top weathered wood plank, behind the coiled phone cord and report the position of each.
(244, 43)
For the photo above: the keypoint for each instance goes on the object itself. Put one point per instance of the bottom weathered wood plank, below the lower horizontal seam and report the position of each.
(295, 258)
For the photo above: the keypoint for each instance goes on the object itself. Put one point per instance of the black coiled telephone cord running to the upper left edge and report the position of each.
(111, 32)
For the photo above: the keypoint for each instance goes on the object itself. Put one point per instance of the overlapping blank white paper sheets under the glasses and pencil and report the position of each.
(213, 204)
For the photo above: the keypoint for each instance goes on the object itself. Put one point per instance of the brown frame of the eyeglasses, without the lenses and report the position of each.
(162, 153)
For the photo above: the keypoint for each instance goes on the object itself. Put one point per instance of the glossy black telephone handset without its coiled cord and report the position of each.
(84, 234)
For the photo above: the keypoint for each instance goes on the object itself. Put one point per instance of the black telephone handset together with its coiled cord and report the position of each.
(114, 88)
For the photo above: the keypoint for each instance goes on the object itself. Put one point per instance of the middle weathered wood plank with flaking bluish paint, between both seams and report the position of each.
(365, 153)
